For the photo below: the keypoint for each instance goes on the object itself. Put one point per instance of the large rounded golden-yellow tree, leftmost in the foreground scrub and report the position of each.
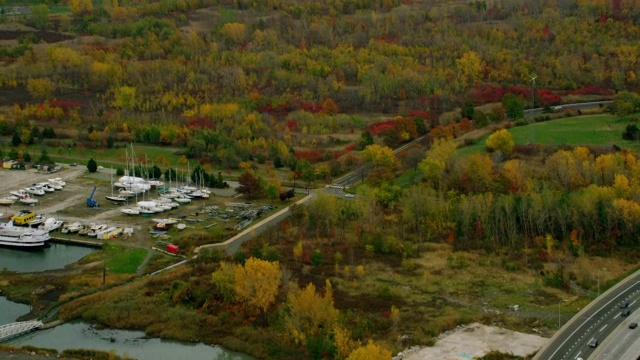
(257, 282)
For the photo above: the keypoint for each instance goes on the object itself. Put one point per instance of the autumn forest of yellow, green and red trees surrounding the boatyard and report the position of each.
(281, 91)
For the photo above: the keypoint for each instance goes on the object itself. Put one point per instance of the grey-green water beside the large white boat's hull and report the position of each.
(56, 256)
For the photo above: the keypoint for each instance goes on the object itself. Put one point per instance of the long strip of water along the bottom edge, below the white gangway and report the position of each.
(123, 342)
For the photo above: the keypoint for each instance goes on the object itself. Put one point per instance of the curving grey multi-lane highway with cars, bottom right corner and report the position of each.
(595, 322)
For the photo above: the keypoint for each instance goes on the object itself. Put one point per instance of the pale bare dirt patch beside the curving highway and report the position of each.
(474, 341)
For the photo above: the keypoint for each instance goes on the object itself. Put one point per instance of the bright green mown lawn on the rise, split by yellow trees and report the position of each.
(599, 130)
